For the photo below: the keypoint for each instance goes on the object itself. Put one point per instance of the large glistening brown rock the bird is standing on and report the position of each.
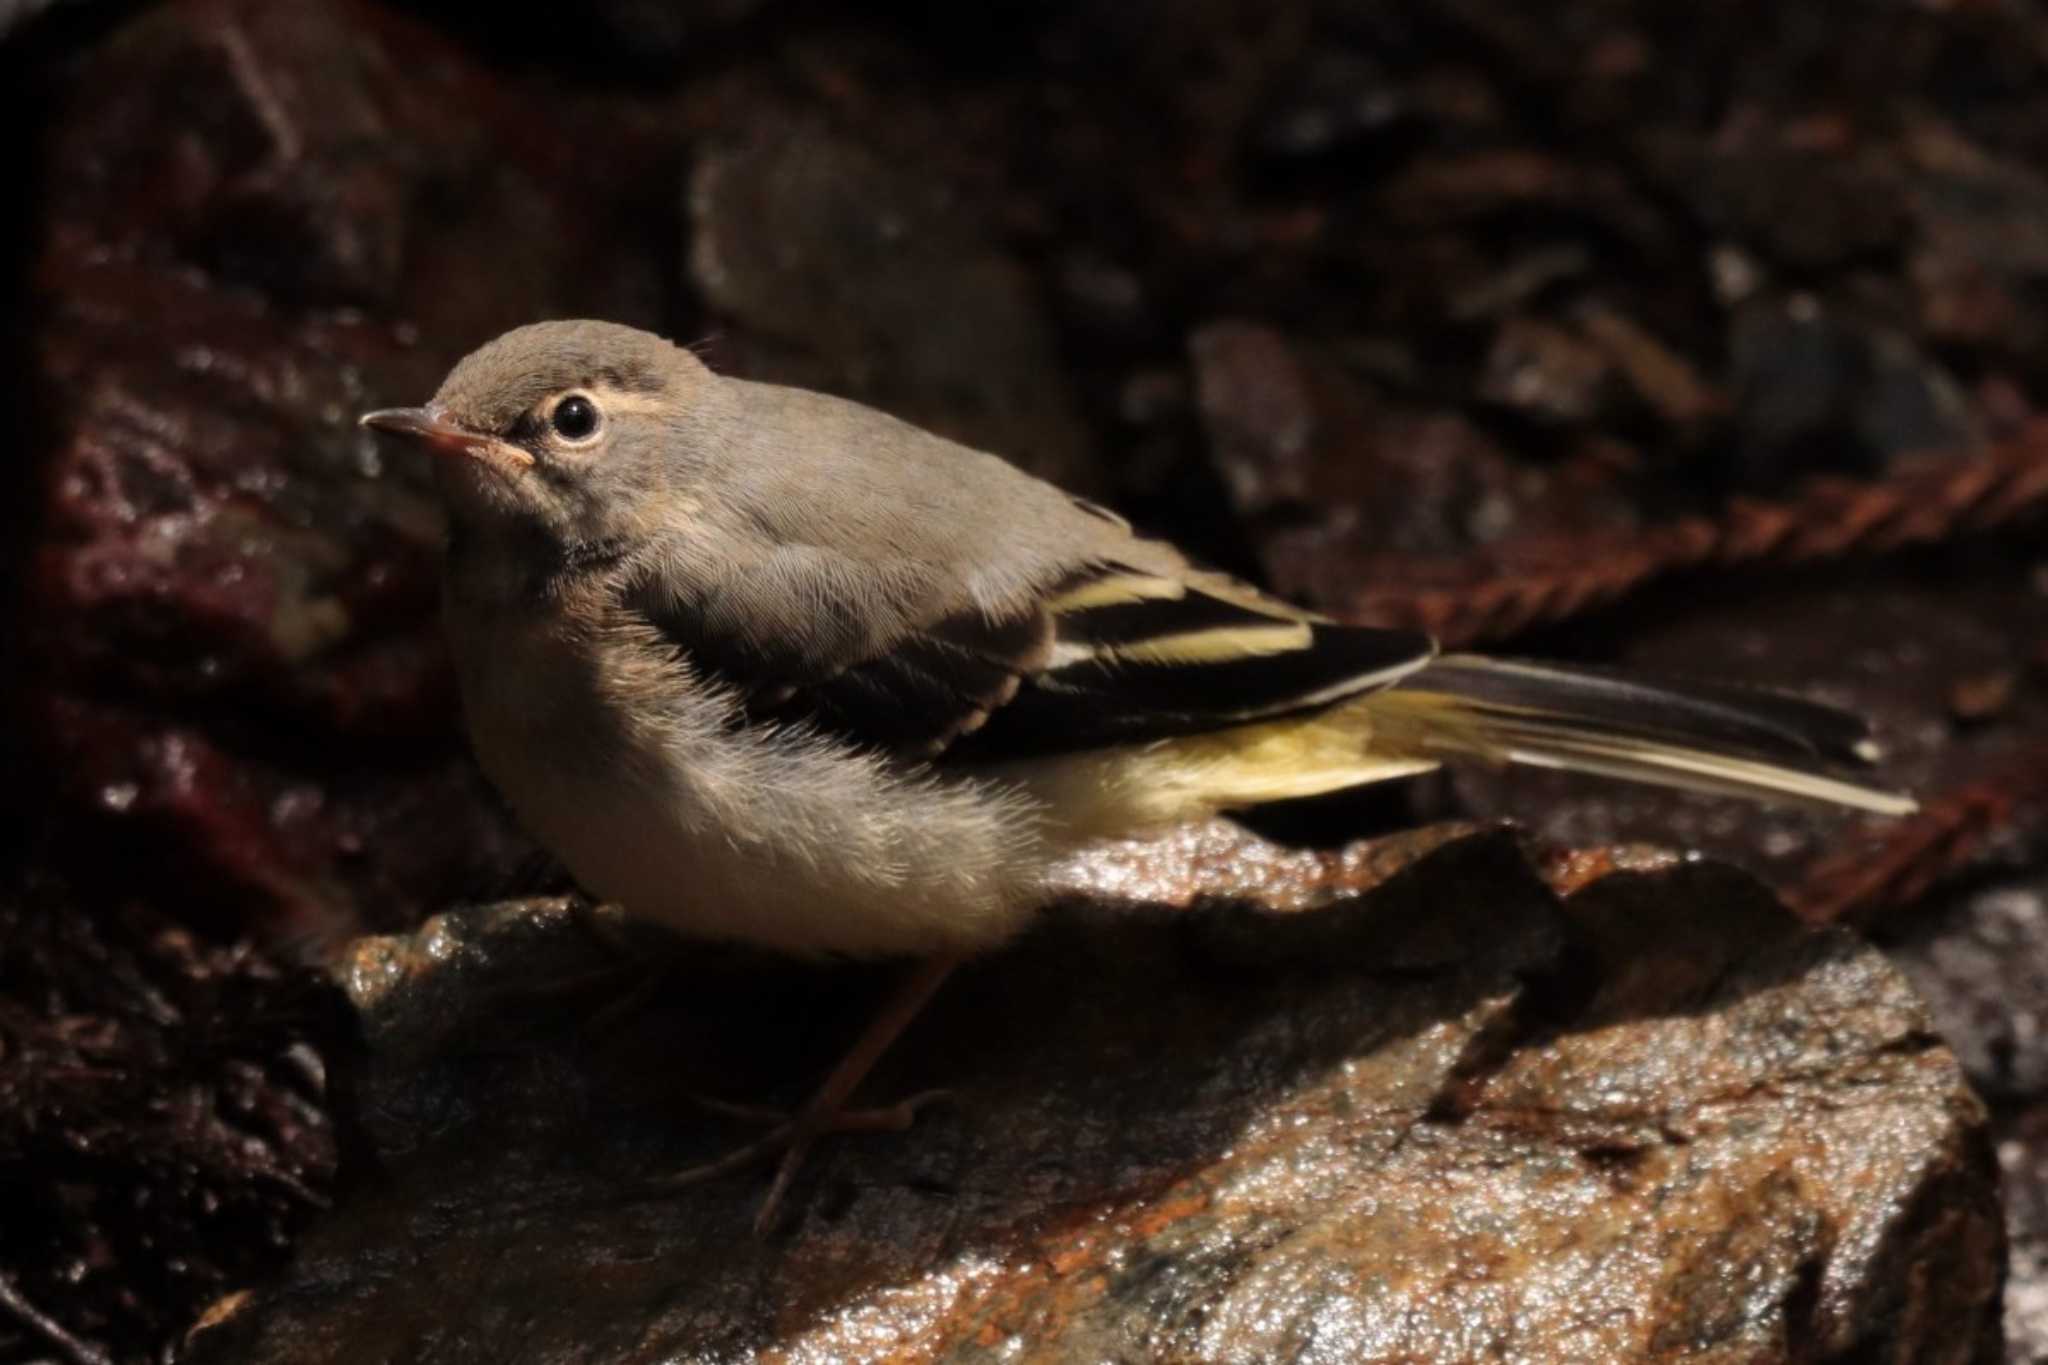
(1650, 1120)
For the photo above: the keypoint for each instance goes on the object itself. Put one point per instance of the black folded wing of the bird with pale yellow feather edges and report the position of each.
(1109, 656)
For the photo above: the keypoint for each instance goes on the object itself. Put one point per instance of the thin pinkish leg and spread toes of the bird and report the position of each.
(826, 1110)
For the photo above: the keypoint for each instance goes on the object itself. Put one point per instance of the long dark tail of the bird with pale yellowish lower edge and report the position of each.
(1697, 738)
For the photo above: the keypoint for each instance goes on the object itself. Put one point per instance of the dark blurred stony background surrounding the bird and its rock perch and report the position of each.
(1699, 339)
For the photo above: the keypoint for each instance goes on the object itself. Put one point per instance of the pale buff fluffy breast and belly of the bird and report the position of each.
(783, 842)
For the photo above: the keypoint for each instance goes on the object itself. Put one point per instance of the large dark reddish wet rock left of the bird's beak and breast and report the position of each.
(232, 595)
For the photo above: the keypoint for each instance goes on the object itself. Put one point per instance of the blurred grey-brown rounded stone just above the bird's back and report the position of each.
(876, 283)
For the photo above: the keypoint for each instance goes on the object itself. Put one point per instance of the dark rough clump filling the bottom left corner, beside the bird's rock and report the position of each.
(163, 1122)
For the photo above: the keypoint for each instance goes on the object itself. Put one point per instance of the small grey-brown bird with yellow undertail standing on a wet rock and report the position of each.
(771, 666)
